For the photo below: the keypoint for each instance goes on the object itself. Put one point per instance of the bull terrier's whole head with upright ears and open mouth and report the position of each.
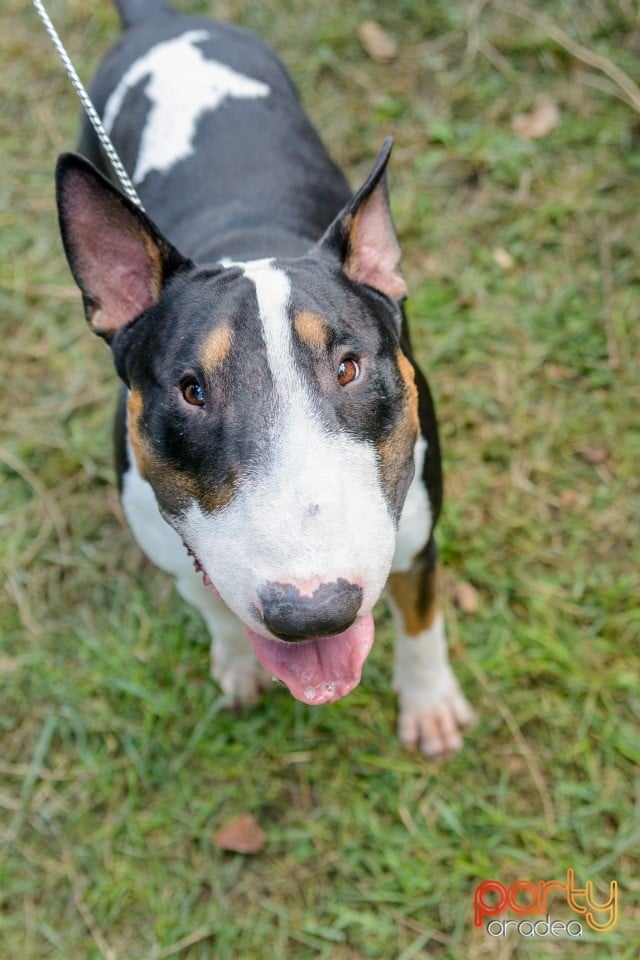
(271, 409)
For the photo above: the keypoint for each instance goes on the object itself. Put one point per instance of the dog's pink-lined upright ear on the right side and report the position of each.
(363, 235)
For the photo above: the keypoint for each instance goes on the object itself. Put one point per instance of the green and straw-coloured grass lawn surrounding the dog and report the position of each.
(118, 763)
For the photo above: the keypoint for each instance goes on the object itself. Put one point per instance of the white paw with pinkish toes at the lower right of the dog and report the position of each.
(434, 725)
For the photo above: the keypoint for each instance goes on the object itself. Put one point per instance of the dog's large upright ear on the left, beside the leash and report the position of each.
(117, 255)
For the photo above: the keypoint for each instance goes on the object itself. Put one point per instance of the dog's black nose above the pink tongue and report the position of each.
(293, 616)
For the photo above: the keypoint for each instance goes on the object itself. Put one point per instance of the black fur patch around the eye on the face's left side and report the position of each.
(209, 448)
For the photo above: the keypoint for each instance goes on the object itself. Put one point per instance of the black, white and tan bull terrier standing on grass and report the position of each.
(276, 443)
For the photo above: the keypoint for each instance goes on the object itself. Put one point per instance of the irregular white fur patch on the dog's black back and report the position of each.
(182, 86)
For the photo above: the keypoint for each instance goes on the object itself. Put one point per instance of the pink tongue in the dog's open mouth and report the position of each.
(321, 670)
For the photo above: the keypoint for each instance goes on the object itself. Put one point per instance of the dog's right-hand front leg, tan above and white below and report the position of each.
(433, 709)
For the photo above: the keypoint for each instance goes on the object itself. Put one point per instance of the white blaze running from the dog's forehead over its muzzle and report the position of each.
(314, 510)
